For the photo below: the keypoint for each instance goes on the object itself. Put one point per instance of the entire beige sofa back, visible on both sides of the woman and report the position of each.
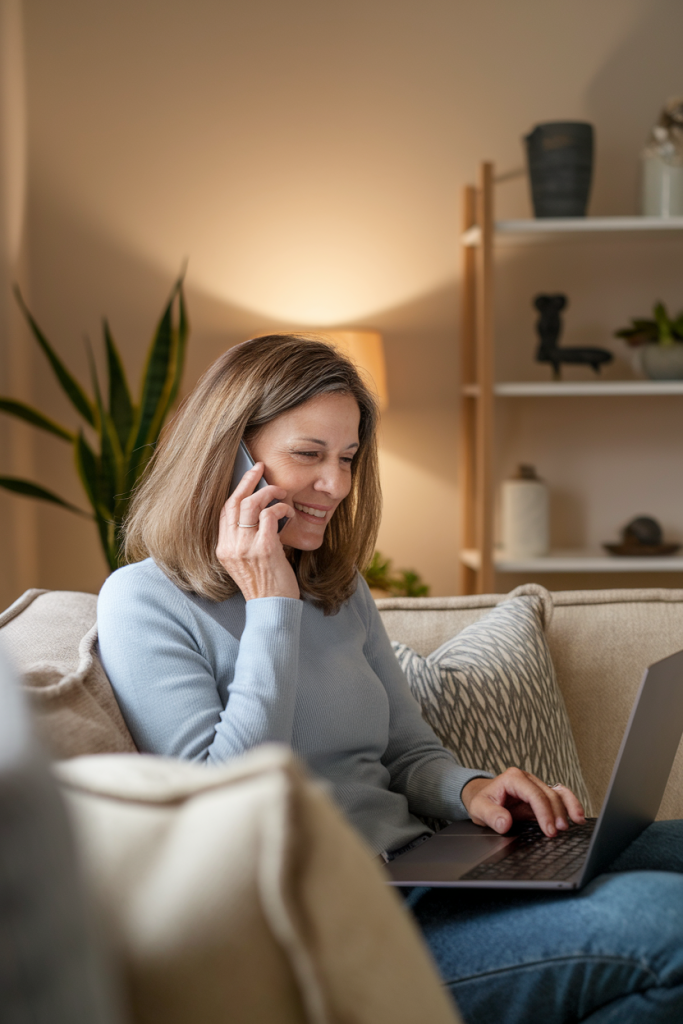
(602, 643)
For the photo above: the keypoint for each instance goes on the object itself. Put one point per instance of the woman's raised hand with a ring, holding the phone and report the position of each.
(253, 554)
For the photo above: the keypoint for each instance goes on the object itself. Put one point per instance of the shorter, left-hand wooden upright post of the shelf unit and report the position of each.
(467, 426)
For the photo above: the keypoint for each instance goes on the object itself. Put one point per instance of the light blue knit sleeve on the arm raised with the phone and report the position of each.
(161, 660)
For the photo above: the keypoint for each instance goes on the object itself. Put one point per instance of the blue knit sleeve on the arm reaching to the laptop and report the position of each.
(419, 765)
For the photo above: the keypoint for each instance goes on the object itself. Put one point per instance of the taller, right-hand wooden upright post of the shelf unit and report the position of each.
(485, 375)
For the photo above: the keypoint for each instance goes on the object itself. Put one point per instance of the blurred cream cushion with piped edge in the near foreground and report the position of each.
(239, 894)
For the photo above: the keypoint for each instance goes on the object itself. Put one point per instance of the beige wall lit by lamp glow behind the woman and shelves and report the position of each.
(309, 158)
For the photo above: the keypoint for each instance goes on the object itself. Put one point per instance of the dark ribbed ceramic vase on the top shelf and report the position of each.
(561, 167)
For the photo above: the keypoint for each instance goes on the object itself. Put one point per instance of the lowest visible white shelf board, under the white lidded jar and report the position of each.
(577, 562)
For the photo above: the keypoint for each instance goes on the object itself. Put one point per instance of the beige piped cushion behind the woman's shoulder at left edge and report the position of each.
(52, 638)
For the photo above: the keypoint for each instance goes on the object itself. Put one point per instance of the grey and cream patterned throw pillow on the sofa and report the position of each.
(492, 697)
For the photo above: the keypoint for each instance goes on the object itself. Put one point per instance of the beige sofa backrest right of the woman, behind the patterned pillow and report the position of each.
(602, 643)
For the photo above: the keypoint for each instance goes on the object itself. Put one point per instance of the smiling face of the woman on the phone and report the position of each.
(309, 452)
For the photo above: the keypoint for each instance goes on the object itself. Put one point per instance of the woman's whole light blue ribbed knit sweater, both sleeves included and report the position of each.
(206, 681)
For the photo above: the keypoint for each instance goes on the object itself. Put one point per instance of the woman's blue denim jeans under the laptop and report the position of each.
(612, 954)
